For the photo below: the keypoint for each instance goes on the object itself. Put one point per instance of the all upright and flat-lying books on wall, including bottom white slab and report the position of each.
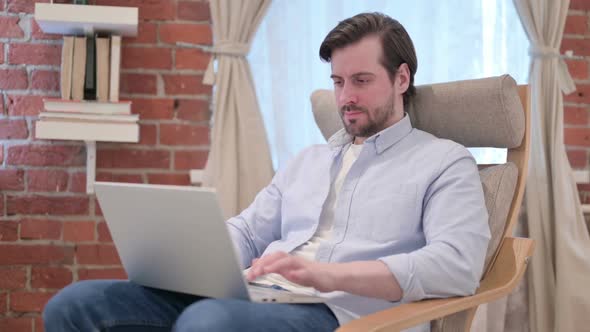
(89, 108)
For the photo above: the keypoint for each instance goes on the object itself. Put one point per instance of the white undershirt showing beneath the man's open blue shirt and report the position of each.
(323, 233)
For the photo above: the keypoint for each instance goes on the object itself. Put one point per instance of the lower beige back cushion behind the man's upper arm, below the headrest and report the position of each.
(499, 183)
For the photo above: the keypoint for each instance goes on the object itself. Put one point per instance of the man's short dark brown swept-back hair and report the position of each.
(395, 41)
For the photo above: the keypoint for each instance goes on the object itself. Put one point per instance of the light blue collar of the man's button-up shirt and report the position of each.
(381, 140)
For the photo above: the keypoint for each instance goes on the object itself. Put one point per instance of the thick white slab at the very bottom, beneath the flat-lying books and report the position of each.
(87, 131)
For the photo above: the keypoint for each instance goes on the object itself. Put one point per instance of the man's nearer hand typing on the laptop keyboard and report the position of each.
(295, 269)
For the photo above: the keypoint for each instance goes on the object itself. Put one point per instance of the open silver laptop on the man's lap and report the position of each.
(175, 238)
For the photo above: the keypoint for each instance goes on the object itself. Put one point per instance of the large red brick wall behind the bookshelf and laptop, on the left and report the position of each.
(51, 232)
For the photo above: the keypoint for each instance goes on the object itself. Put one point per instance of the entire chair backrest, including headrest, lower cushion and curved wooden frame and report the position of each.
(489, 112)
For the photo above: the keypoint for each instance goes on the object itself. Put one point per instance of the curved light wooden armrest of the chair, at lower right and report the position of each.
(505, 274)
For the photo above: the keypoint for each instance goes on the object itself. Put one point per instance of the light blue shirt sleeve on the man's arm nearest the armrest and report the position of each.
(455, 223)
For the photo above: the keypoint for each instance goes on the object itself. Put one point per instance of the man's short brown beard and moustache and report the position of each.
(376, 120)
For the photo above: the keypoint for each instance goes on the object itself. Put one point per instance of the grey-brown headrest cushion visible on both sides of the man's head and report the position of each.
(476, 113)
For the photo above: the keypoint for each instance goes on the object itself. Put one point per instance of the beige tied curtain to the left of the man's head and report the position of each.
(239, 163)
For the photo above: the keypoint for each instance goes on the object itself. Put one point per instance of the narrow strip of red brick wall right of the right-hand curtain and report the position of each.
(577, 104)
